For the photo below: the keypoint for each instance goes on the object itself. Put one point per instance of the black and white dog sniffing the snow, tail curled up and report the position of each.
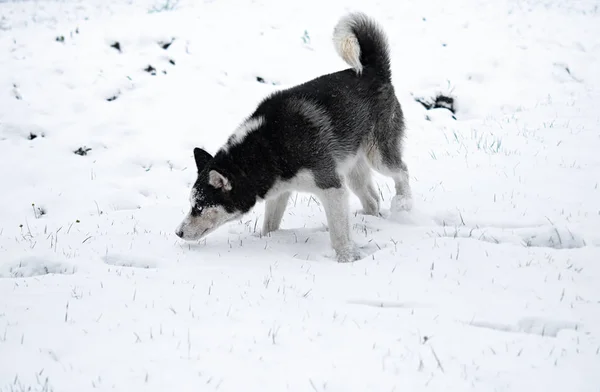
(316, 137)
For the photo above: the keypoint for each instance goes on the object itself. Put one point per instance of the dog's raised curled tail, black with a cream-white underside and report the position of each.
(361, 43)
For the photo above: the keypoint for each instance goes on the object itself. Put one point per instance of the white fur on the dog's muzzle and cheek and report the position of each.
(202, 220)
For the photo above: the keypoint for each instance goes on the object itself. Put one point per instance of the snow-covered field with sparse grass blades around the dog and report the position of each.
(492, 283)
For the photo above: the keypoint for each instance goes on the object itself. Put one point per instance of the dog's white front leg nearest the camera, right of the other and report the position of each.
(335, 202)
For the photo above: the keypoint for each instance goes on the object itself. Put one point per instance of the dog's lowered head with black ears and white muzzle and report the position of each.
(215, 200)
